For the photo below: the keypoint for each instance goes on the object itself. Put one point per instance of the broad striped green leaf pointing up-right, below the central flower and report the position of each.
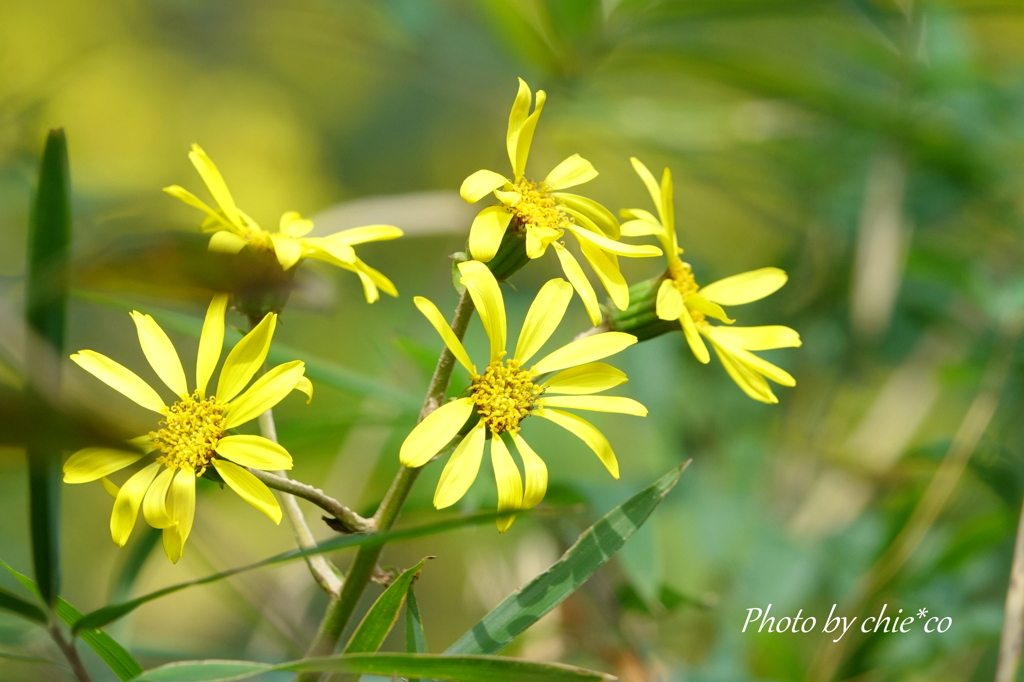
(527, 606)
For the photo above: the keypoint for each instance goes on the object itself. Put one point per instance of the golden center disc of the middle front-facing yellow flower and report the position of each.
(504, 396)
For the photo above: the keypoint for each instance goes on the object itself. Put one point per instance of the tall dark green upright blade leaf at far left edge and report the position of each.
(47, 305)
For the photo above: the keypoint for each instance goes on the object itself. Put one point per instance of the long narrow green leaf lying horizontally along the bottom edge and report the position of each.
(465, 669)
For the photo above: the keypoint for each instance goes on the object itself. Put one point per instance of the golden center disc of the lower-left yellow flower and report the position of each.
(191, 432)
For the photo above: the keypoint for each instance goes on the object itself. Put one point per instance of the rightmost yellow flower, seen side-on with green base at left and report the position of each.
(681, 299)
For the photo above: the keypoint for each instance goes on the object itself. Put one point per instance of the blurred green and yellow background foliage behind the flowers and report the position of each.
(874, 149)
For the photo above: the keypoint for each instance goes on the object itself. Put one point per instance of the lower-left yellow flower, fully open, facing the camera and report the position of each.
(194, 432)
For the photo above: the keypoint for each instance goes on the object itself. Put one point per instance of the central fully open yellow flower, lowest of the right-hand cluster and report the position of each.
(507, 393)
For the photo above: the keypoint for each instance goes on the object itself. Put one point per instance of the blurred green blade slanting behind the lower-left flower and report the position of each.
(318, 370)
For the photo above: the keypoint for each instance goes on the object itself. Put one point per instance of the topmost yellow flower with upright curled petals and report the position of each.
(546, 214)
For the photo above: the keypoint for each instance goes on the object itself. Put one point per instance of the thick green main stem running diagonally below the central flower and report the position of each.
(339, 612)
